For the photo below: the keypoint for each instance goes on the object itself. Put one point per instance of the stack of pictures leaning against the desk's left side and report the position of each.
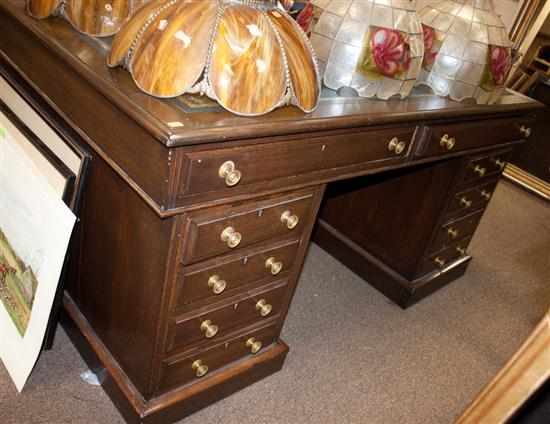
(41, 177)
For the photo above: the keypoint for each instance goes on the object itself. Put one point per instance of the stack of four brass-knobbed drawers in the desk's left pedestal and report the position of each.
(237, 271)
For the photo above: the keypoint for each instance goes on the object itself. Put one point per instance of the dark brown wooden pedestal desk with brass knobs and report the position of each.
(182, 278)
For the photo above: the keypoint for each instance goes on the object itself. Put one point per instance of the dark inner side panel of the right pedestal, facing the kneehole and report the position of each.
(392, 215)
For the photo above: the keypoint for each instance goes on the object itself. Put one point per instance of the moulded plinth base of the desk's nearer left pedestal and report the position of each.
(174, 405)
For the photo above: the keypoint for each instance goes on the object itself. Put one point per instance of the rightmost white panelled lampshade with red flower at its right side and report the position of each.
(468, 53)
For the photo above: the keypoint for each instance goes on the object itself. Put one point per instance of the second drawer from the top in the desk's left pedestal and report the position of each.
(221, 279)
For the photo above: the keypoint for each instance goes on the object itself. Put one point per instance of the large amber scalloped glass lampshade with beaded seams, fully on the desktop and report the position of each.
(248, 55)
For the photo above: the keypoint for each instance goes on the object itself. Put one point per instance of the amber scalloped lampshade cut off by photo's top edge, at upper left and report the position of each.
(98, 18)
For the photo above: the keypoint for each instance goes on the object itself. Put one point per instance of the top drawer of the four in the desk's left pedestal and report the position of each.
(226, 229)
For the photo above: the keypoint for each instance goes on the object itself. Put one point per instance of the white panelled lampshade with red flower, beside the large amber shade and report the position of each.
(373, 46)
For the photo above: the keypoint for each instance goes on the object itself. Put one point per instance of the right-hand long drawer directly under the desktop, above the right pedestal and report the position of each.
(448, 138)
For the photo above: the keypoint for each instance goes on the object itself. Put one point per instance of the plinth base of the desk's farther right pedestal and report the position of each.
(402, 291)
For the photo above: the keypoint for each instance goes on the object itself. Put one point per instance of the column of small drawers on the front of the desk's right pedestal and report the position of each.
(469, 197)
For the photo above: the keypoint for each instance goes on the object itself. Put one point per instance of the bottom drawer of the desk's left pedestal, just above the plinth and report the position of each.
(188, 369)
